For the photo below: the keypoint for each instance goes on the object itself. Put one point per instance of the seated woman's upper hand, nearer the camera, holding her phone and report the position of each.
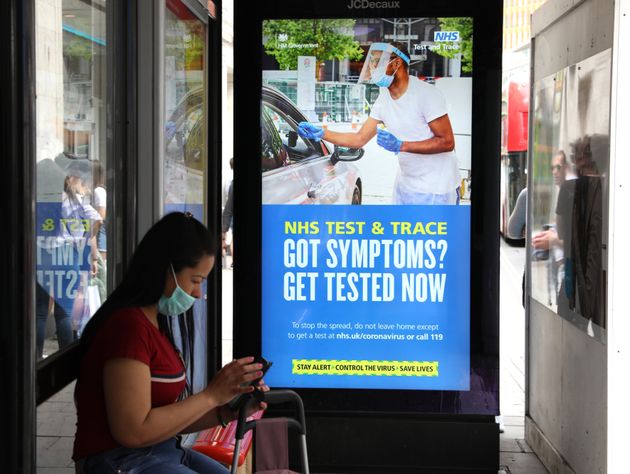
(233, 379)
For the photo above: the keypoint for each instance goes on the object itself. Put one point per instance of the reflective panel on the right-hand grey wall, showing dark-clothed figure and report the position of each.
(570, 168)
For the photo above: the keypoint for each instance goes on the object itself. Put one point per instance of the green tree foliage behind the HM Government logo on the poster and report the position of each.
(285, 40)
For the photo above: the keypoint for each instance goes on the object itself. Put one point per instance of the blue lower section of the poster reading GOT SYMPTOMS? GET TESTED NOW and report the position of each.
(367, 296)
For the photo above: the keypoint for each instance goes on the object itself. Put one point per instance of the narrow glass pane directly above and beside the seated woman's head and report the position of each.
(185, 137)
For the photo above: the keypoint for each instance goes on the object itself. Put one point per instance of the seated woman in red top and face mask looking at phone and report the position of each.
(132, 396)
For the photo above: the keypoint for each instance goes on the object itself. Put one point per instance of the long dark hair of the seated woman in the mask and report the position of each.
(177, 239)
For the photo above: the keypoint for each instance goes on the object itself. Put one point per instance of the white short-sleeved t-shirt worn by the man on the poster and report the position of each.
(408, 119)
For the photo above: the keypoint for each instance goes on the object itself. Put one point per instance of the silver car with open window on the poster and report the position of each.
(300, 171)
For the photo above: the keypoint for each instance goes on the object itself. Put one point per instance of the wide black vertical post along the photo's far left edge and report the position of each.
(17, 132)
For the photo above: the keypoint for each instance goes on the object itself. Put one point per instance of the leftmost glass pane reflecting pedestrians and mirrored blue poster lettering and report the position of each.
(71, 161)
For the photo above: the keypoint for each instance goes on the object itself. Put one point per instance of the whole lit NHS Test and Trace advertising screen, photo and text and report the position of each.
(366, 206)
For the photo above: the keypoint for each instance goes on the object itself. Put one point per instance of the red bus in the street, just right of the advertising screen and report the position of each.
(514, 140)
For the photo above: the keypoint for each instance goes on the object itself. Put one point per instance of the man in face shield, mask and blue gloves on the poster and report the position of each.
(417, 128)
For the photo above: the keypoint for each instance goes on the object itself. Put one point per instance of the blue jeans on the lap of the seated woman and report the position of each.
(162, 458)
